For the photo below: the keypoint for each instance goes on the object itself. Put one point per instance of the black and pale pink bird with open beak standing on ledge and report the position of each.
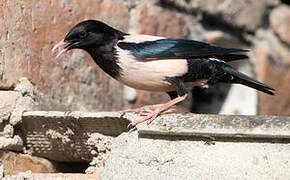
(155, 63)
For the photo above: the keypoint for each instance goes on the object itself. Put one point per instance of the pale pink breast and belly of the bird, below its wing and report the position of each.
(148, 74)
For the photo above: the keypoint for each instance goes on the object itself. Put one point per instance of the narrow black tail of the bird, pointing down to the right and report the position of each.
(228, 74)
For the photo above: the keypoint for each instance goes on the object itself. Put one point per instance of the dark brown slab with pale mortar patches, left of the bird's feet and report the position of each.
(71, 136)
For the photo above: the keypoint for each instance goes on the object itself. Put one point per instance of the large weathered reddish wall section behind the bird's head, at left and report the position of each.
(28, 31)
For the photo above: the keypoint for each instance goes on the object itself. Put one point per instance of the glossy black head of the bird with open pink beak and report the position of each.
(87, 35)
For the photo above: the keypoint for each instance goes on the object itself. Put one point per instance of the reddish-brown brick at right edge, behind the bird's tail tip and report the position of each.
(276, 75)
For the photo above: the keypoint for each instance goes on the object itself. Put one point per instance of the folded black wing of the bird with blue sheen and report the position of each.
(180, 48)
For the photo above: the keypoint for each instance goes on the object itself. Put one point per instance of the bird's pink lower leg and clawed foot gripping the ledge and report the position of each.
(152, 111)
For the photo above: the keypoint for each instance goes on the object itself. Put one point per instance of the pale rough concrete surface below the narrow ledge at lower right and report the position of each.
(133, 157)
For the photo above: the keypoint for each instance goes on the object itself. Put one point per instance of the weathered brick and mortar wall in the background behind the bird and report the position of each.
(29, 29)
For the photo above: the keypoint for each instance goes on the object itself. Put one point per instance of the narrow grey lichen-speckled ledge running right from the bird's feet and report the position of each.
(219, 126)
